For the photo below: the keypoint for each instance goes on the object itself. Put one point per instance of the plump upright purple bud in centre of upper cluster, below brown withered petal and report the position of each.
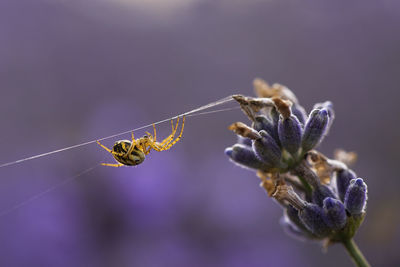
(289, 130)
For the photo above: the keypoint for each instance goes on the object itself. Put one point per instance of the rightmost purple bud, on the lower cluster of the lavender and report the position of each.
(355, 199)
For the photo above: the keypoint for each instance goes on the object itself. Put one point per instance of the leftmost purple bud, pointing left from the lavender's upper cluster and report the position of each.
(244, 156)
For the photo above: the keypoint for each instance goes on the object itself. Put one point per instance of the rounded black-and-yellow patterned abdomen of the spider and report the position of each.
(133, 158)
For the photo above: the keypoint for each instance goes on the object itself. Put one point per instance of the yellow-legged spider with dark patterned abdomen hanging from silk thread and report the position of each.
(131, 153)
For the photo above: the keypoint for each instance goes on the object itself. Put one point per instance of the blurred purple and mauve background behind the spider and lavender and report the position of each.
(74, 71)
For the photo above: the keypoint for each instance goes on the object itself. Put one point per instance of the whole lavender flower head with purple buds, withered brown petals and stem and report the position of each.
(321, 197)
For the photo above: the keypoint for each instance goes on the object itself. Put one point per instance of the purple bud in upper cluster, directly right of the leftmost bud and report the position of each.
(267, 150)
